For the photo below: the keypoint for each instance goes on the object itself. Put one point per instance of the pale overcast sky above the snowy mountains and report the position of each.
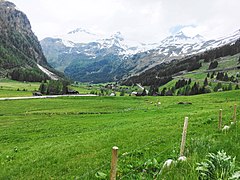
(141, 20)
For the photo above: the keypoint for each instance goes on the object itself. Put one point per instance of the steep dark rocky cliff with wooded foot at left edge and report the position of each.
(20, 51)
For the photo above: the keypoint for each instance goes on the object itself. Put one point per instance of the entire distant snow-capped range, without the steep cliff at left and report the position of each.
(91, 57)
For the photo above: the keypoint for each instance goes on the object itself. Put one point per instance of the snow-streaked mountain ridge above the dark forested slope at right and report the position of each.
(177, 47)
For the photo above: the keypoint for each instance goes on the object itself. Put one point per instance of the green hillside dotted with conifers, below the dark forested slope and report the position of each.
(225, 76)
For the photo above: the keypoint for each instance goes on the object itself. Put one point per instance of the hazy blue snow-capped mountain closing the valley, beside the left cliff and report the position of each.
(91, 57)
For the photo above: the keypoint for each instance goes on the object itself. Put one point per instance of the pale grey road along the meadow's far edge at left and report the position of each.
(42, 97)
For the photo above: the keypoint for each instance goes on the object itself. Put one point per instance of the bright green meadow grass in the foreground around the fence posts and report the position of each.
(71, 138)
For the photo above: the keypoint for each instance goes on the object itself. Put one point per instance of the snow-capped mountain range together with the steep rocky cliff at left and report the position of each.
(87, 56)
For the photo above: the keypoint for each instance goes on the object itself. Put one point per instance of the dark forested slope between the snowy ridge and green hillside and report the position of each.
(164, 72)
